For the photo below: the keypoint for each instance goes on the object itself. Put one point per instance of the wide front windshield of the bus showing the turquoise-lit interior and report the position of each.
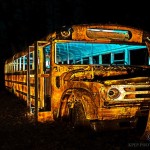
(100, 53)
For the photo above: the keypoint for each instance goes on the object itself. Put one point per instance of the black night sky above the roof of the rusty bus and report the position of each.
(24, 21)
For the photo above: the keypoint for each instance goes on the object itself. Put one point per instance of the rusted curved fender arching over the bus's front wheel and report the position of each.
(71, 96)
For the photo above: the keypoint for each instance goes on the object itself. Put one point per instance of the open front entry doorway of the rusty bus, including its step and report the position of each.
(42, 81)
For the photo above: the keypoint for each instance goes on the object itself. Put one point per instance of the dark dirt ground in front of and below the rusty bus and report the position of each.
(18, 132)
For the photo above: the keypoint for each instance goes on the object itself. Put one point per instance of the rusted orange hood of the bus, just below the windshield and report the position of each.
(105, 73)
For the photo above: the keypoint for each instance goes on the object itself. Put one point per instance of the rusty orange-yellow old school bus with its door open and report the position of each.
(88, 74)
